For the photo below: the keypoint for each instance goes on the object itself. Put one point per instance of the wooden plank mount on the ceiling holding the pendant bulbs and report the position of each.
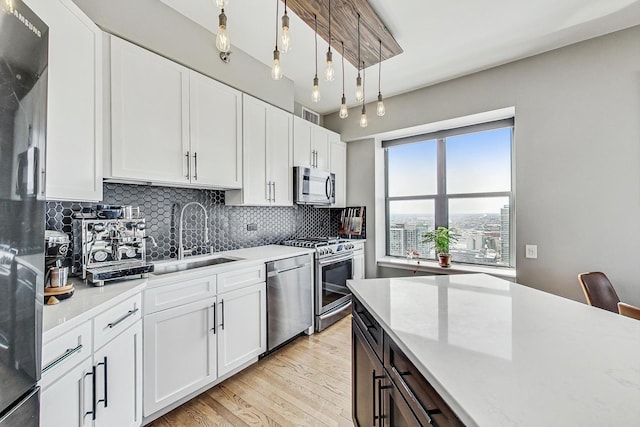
(344, 27)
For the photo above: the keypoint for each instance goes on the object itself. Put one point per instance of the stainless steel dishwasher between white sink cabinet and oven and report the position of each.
(289, 298)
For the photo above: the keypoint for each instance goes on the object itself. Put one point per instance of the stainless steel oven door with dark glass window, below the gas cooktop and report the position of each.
(332, 275)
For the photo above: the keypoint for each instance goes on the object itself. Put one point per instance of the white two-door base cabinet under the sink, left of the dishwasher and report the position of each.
(191, 345)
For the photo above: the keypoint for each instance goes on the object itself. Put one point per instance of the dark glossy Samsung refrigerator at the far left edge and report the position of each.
(23, 106)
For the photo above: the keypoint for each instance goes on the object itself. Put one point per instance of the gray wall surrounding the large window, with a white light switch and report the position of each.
(576, 152)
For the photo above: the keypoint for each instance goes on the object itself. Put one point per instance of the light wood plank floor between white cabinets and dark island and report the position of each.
(307, 383)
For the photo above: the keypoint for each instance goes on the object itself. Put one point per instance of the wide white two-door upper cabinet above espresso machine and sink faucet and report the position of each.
(170, 124)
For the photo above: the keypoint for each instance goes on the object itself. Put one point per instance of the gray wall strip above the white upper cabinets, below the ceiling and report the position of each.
(180, 39)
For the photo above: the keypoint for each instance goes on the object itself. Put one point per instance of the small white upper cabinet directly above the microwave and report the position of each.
(311, 144)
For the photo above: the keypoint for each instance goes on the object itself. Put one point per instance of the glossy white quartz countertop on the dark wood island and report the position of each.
(503, 354)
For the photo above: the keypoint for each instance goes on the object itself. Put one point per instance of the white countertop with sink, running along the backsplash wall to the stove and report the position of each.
(89, 300)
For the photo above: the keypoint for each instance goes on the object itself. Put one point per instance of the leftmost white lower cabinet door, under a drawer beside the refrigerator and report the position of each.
(68, 400)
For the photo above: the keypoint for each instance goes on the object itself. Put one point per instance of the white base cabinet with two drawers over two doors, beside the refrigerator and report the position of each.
(101, 386)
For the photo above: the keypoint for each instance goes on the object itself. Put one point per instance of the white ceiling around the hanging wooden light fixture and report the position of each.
(441, 39)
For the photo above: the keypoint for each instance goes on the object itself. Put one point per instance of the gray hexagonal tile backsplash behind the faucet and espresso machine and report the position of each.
(227, 225)
